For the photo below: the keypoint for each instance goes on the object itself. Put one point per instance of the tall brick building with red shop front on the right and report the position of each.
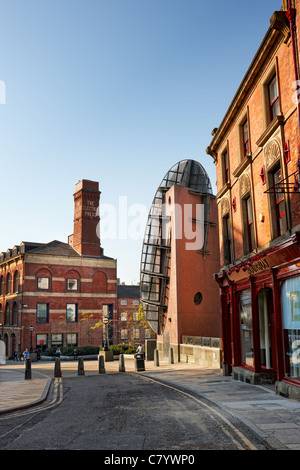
(256, 152)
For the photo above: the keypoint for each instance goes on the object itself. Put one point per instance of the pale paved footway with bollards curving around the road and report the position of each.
(274, 419)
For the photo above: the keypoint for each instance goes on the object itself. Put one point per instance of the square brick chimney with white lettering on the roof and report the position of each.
(85, 238)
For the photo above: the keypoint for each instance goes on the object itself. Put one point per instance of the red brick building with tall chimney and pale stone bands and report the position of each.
(59, 289)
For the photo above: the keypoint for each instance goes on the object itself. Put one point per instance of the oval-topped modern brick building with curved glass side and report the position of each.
(179, 259)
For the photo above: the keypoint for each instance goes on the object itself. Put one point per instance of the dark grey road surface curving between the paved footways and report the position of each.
(122, 412)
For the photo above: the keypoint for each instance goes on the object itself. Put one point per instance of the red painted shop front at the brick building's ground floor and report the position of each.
(260, 304)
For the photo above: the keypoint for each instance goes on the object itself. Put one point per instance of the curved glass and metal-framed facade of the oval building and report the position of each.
(156, 245)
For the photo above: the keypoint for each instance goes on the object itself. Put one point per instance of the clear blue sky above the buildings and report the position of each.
(116, 91)
